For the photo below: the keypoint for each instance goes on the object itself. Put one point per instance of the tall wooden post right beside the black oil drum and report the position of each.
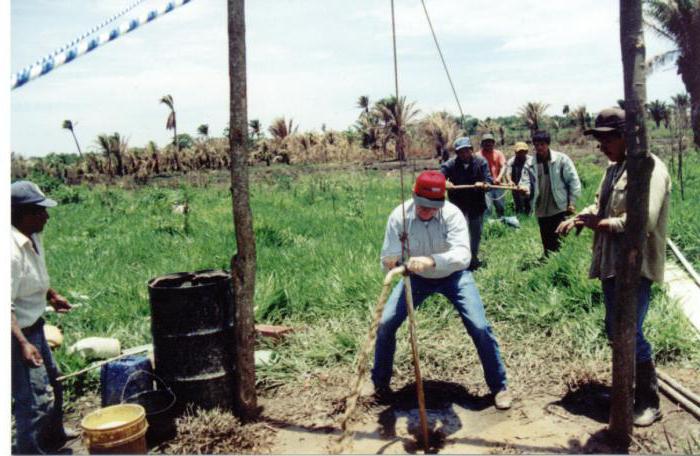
(243, 262)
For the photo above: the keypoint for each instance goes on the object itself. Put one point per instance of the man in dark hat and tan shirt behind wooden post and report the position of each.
(607, 218)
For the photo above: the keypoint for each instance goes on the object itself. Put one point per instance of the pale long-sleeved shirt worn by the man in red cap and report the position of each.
(445, 238)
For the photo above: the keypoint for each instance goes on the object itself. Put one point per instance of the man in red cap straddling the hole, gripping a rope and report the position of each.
(436, 254)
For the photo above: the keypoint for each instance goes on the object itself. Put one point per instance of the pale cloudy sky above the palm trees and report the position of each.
(310, 60)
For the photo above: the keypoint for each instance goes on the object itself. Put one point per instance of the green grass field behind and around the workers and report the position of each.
(318, 240)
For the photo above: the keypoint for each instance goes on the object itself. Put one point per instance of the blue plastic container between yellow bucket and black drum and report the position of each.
(123, 378)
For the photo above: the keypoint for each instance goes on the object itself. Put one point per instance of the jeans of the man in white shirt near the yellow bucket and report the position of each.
(38, 398)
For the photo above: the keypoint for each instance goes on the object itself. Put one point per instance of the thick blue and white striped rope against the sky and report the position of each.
(41, 68)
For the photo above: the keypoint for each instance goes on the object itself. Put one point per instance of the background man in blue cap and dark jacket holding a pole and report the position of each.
(469, 169)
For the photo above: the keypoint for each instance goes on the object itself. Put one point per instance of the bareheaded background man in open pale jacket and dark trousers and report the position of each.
(556, 188)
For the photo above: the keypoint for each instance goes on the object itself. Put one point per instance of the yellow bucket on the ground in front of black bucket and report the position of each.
(118, 429)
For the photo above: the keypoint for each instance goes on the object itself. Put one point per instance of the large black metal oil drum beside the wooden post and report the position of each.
(192, 327)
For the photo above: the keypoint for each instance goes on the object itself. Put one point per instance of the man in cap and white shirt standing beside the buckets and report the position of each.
(37, 395)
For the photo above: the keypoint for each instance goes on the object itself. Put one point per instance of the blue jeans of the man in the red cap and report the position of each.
(460, 288)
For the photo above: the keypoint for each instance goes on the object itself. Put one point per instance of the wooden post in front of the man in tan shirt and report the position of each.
(629, 261)
